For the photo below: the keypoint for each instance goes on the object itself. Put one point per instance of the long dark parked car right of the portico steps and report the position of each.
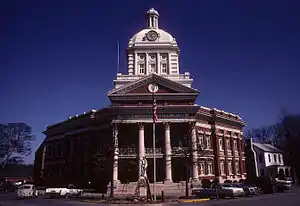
(217, 190)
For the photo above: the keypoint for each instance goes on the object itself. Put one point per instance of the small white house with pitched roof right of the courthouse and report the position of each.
(265, 160)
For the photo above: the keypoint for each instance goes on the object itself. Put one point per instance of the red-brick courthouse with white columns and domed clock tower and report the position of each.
(76, 150)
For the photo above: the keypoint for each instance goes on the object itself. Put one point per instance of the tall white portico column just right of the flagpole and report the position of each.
(168, 153)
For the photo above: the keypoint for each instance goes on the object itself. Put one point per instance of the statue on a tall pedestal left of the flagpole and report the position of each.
(142, 190)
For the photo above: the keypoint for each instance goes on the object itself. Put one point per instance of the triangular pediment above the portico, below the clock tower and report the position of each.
(165, 86)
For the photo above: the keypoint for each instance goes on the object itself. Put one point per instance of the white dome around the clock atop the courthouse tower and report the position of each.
(163, 37)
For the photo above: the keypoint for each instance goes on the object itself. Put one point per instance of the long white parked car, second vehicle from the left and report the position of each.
(69, 191)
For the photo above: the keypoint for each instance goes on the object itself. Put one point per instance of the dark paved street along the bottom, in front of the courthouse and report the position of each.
(290, 198)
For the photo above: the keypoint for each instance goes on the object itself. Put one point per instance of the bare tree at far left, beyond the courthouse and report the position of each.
(15, 142)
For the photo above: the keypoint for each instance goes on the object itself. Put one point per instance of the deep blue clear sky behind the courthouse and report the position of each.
(58, 57)
